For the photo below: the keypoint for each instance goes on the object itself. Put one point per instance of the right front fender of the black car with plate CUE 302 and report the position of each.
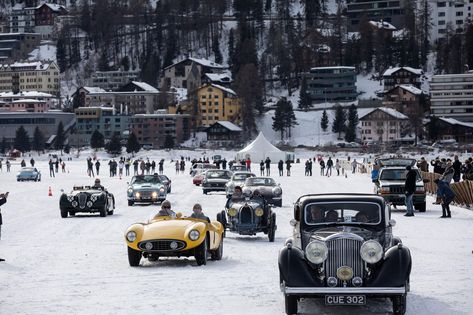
(395, 268)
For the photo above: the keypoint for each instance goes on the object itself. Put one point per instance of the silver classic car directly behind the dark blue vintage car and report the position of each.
(267, 187)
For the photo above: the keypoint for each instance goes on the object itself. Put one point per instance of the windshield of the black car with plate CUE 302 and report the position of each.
(342, 213)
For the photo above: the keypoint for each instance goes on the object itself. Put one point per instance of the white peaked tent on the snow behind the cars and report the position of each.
(260, 149)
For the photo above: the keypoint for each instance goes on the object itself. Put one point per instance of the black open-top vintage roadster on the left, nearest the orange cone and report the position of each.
(87, 199)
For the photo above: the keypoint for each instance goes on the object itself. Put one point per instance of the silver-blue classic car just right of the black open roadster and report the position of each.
(147, 189)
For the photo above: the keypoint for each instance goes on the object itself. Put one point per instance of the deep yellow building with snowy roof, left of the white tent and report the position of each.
(217, 103)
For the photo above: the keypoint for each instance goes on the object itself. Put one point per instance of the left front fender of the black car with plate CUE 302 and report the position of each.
(294, 269)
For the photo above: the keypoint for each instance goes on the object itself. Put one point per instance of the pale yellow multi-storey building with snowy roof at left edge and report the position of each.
(30, 76)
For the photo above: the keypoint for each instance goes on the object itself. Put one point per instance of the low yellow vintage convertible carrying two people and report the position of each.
(180, 236)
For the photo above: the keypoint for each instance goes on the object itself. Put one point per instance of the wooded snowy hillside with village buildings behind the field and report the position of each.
(65, 82)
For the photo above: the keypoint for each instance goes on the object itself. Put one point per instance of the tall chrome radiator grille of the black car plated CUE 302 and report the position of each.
(344, 252)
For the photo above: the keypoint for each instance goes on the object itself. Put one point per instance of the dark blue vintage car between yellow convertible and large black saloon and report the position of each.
(248, 216)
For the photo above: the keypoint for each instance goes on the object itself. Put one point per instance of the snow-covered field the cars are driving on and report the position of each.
(79, 265)
